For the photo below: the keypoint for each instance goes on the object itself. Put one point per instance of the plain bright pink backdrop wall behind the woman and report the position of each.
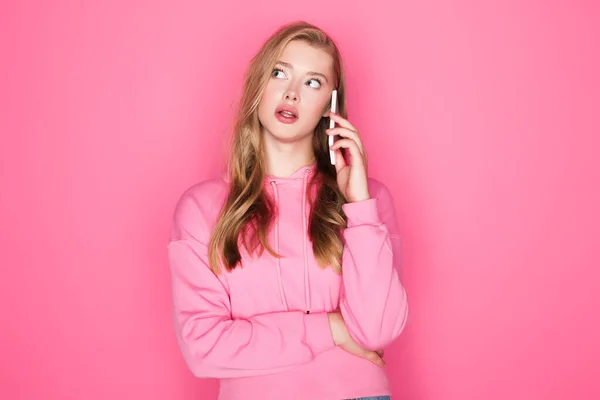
(482, 120)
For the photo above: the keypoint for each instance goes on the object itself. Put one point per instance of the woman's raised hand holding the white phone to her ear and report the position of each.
(351, 176)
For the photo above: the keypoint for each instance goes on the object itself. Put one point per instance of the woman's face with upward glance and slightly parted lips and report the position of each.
(297, 93)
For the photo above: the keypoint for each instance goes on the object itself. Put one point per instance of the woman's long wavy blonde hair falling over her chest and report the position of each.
(247, 214)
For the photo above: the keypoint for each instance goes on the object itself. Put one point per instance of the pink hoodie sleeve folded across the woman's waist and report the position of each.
(213, 343)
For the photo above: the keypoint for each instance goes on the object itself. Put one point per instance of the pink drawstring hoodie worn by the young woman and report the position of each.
(263, 328)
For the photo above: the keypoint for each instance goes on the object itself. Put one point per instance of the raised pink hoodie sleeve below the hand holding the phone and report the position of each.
(373, 302)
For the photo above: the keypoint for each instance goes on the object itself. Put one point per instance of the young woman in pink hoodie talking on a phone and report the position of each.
(284, 272)
